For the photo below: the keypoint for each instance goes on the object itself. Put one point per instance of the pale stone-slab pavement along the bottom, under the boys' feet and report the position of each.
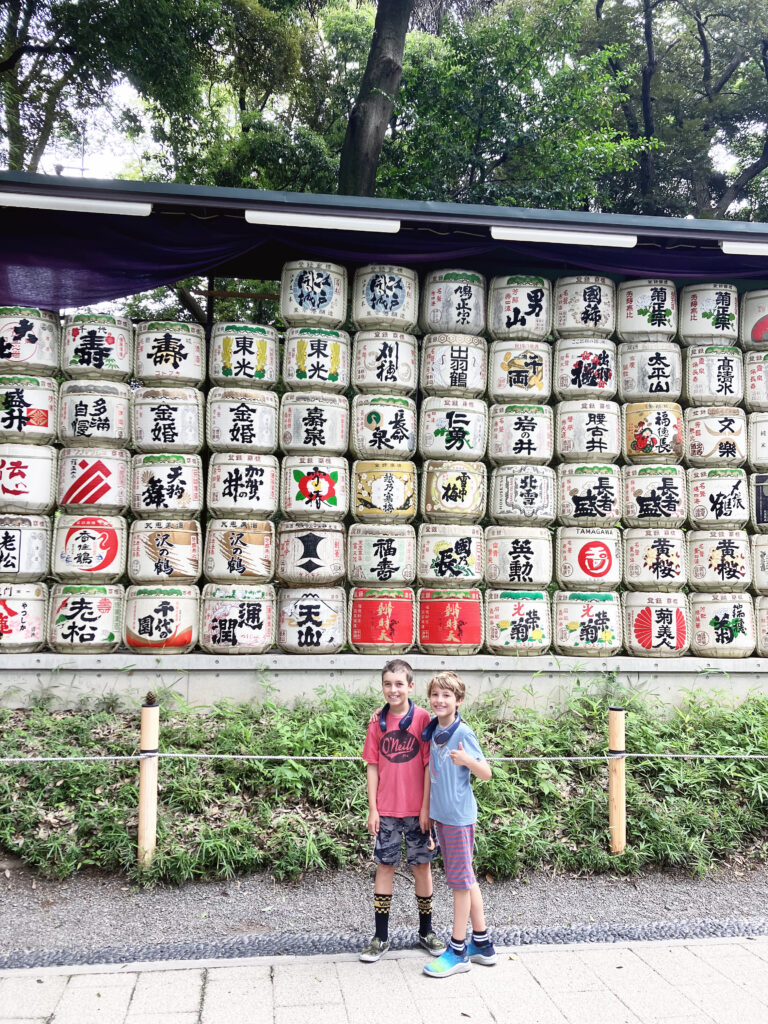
(706, 982)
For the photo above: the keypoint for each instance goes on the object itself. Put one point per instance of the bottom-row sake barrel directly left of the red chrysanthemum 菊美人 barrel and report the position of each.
(587, 625)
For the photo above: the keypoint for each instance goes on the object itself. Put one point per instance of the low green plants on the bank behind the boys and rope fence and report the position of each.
(220, 819)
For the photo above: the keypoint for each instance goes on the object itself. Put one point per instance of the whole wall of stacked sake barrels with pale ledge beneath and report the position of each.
(452, 465)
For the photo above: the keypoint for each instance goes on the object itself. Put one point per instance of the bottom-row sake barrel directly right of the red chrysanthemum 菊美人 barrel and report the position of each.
(723, 625)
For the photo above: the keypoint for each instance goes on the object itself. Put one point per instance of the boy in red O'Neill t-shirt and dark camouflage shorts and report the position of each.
(399, 805)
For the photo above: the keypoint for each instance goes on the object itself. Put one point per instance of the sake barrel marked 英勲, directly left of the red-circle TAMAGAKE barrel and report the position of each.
(521, 557)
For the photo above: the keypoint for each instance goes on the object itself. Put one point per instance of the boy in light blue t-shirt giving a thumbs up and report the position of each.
(455, 756)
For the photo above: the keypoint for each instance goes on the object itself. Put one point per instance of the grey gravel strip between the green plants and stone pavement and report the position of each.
(94, 919)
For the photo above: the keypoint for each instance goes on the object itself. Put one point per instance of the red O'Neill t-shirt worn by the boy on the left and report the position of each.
(402, 757)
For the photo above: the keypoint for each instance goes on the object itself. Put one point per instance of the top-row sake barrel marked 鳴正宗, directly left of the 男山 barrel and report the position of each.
(454, 303)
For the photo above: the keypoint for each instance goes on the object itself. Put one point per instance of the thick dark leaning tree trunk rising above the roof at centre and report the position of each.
(373, 109)
